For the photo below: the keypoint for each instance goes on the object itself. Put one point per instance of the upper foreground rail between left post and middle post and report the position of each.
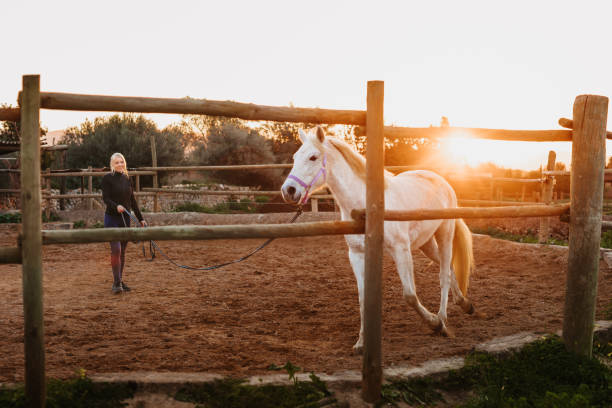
(247, 111)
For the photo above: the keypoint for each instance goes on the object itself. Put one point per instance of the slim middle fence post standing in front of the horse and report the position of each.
(374, 236)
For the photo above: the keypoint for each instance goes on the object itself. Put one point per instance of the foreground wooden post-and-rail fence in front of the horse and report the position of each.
(588, 160)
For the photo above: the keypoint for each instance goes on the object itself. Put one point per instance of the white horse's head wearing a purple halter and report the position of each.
(309, 171)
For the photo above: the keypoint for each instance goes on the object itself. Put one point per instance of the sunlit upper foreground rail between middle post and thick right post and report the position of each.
(397, 132)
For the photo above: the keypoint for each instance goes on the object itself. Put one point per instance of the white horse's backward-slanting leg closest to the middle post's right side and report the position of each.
(405, 268)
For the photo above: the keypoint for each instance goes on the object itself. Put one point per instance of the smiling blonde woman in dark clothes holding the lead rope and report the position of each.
(118, 195)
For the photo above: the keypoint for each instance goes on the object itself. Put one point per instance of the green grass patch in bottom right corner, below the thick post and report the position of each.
(542, 374)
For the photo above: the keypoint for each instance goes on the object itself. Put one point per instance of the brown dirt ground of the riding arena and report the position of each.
(294, 301)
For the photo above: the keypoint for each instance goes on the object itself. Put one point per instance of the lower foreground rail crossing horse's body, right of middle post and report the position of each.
(470, 212)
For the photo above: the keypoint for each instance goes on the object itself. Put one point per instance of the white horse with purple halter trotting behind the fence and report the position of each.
(327, 161)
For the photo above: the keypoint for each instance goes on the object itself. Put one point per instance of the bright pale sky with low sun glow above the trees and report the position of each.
(514, 65)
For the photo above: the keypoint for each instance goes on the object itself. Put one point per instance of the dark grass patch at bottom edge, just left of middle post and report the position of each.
(234, 393)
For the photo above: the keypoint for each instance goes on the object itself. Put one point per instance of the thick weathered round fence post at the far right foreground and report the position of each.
(587, 180)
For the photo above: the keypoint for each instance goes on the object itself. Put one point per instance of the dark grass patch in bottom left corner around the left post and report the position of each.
(78, 392)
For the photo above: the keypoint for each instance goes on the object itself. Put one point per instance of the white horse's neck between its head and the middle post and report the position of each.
(348, 189)
